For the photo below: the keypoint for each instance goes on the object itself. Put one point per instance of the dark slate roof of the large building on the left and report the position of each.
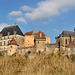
(11, 29)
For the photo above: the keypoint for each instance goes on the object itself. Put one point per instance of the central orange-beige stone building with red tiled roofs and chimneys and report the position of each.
(39, 40)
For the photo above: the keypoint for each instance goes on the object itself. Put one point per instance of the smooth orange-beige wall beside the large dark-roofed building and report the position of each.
(28, 41)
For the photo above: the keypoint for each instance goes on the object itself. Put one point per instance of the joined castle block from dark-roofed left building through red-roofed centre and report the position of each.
(31, 41)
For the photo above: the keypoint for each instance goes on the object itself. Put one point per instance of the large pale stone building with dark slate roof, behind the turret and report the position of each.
(8, 33)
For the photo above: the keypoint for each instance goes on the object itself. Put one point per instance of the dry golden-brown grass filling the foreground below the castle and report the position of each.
(40, 64)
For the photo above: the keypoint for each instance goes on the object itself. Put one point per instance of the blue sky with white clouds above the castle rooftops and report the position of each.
(49, 16)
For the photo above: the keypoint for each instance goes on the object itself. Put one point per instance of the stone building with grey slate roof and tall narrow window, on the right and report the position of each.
(65, 39)
